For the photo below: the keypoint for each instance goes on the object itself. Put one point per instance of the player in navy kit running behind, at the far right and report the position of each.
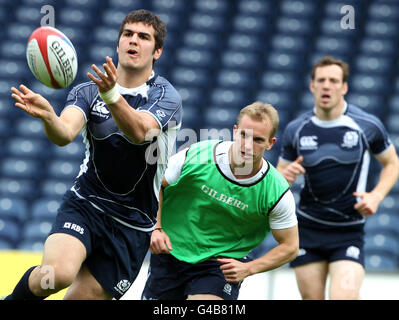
(330, 145)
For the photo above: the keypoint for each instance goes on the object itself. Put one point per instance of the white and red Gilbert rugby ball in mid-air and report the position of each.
(51, 57)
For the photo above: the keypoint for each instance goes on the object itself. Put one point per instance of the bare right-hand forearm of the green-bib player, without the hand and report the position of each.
(278, 256)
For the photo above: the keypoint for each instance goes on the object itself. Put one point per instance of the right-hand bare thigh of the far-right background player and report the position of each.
(346, 279)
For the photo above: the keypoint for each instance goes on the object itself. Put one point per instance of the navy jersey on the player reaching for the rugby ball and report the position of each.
(118, 177)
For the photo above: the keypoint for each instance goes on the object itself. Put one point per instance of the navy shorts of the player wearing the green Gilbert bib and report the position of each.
(172, 279)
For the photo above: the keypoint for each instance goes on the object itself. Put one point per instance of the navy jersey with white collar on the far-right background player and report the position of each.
(336, 157)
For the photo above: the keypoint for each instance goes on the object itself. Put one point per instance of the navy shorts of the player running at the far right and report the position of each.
(329, 244)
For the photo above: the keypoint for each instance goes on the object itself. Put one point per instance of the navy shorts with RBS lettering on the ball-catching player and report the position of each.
(115, 252)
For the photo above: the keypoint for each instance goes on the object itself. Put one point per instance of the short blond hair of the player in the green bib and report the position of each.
(261, 111)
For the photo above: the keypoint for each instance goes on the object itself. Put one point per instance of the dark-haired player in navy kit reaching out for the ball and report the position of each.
(100, 236)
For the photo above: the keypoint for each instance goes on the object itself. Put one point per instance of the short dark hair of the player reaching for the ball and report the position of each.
(147, 17)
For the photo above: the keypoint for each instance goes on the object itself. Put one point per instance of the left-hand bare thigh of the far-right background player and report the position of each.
(311, 279)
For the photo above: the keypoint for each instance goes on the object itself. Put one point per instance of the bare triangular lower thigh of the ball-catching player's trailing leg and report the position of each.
(86, 287)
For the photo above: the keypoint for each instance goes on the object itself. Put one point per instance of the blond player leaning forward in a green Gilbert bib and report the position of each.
(219, 201)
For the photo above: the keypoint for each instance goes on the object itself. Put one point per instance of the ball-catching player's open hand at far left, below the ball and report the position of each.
(32, 103)
